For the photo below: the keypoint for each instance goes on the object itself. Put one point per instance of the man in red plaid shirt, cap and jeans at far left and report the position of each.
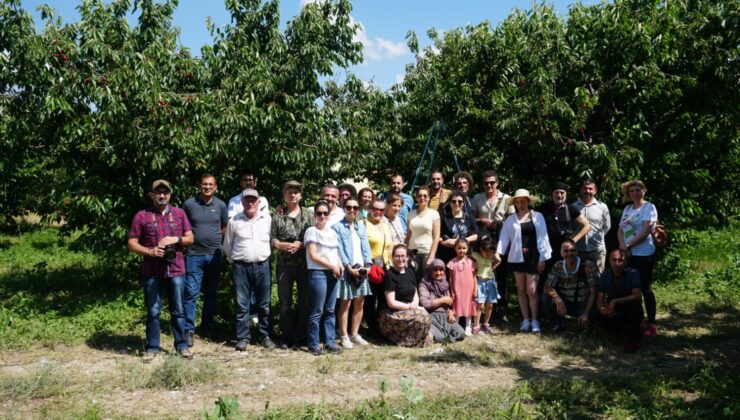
(159, 234)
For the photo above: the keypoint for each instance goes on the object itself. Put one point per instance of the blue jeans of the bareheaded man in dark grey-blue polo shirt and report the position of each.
(203, 272)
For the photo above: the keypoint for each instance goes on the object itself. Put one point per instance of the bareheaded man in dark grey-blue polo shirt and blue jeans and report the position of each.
(208, 216)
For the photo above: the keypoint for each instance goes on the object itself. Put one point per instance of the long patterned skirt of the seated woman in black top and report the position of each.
(408, 328)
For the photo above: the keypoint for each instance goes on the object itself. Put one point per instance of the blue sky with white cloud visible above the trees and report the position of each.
(384, 25)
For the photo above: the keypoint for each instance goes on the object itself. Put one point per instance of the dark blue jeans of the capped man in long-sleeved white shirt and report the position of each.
(252, 279)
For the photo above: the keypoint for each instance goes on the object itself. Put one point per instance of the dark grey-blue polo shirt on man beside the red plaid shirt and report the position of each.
(206, 220)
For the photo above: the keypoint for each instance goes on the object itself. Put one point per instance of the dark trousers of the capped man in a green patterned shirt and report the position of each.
(292, 322)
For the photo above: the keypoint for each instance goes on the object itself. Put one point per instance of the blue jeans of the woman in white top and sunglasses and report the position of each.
(322, 286)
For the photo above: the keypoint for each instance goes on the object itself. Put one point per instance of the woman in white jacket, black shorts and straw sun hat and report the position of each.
(524, 236)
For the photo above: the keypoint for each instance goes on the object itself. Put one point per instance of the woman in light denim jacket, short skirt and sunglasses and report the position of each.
(354, 249)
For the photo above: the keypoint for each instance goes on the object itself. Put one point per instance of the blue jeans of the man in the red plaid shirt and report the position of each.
(154, 288)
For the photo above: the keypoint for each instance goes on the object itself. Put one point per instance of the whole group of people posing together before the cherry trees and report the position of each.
(433, 267)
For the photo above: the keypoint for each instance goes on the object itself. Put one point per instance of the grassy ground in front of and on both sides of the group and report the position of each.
(53, 296)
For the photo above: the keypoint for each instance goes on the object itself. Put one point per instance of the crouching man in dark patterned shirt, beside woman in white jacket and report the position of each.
(570, 288)
